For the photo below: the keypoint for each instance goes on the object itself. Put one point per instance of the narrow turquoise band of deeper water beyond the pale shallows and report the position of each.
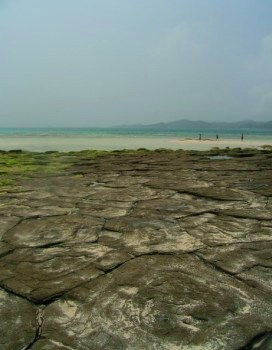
(137, 132)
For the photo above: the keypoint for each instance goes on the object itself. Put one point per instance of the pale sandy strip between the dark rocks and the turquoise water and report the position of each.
(66, 144)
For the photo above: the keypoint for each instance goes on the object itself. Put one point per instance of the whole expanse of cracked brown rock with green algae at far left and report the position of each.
(136, 250)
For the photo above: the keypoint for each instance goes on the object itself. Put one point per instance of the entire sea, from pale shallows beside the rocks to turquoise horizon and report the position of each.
(68, 139)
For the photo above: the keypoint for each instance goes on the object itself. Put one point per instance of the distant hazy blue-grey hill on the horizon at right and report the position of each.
(199, 124)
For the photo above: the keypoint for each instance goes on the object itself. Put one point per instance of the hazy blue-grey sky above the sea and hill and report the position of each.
(112, 62)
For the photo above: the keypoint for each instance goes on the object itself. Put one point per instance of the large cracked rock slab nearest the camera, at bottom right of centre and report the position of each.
(158, 302)
